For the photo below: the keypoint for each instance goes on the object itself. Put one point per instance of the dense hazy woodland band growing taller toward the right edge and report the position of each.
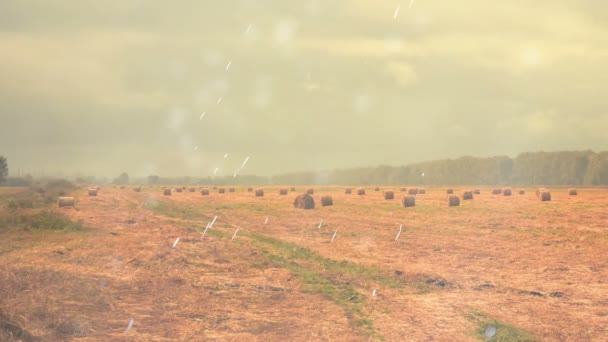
(584, 168)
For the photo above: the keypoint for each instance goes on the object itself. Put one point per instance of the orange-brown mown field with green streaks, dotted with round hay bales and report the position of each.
(533, 270)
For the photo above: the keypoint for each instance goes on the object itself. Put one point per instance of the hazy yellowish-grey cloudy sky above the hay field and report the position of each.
(99, 88)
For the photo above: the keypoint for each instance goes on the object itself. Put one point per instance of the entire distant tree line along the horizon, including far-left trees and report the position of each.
(566, 168)
